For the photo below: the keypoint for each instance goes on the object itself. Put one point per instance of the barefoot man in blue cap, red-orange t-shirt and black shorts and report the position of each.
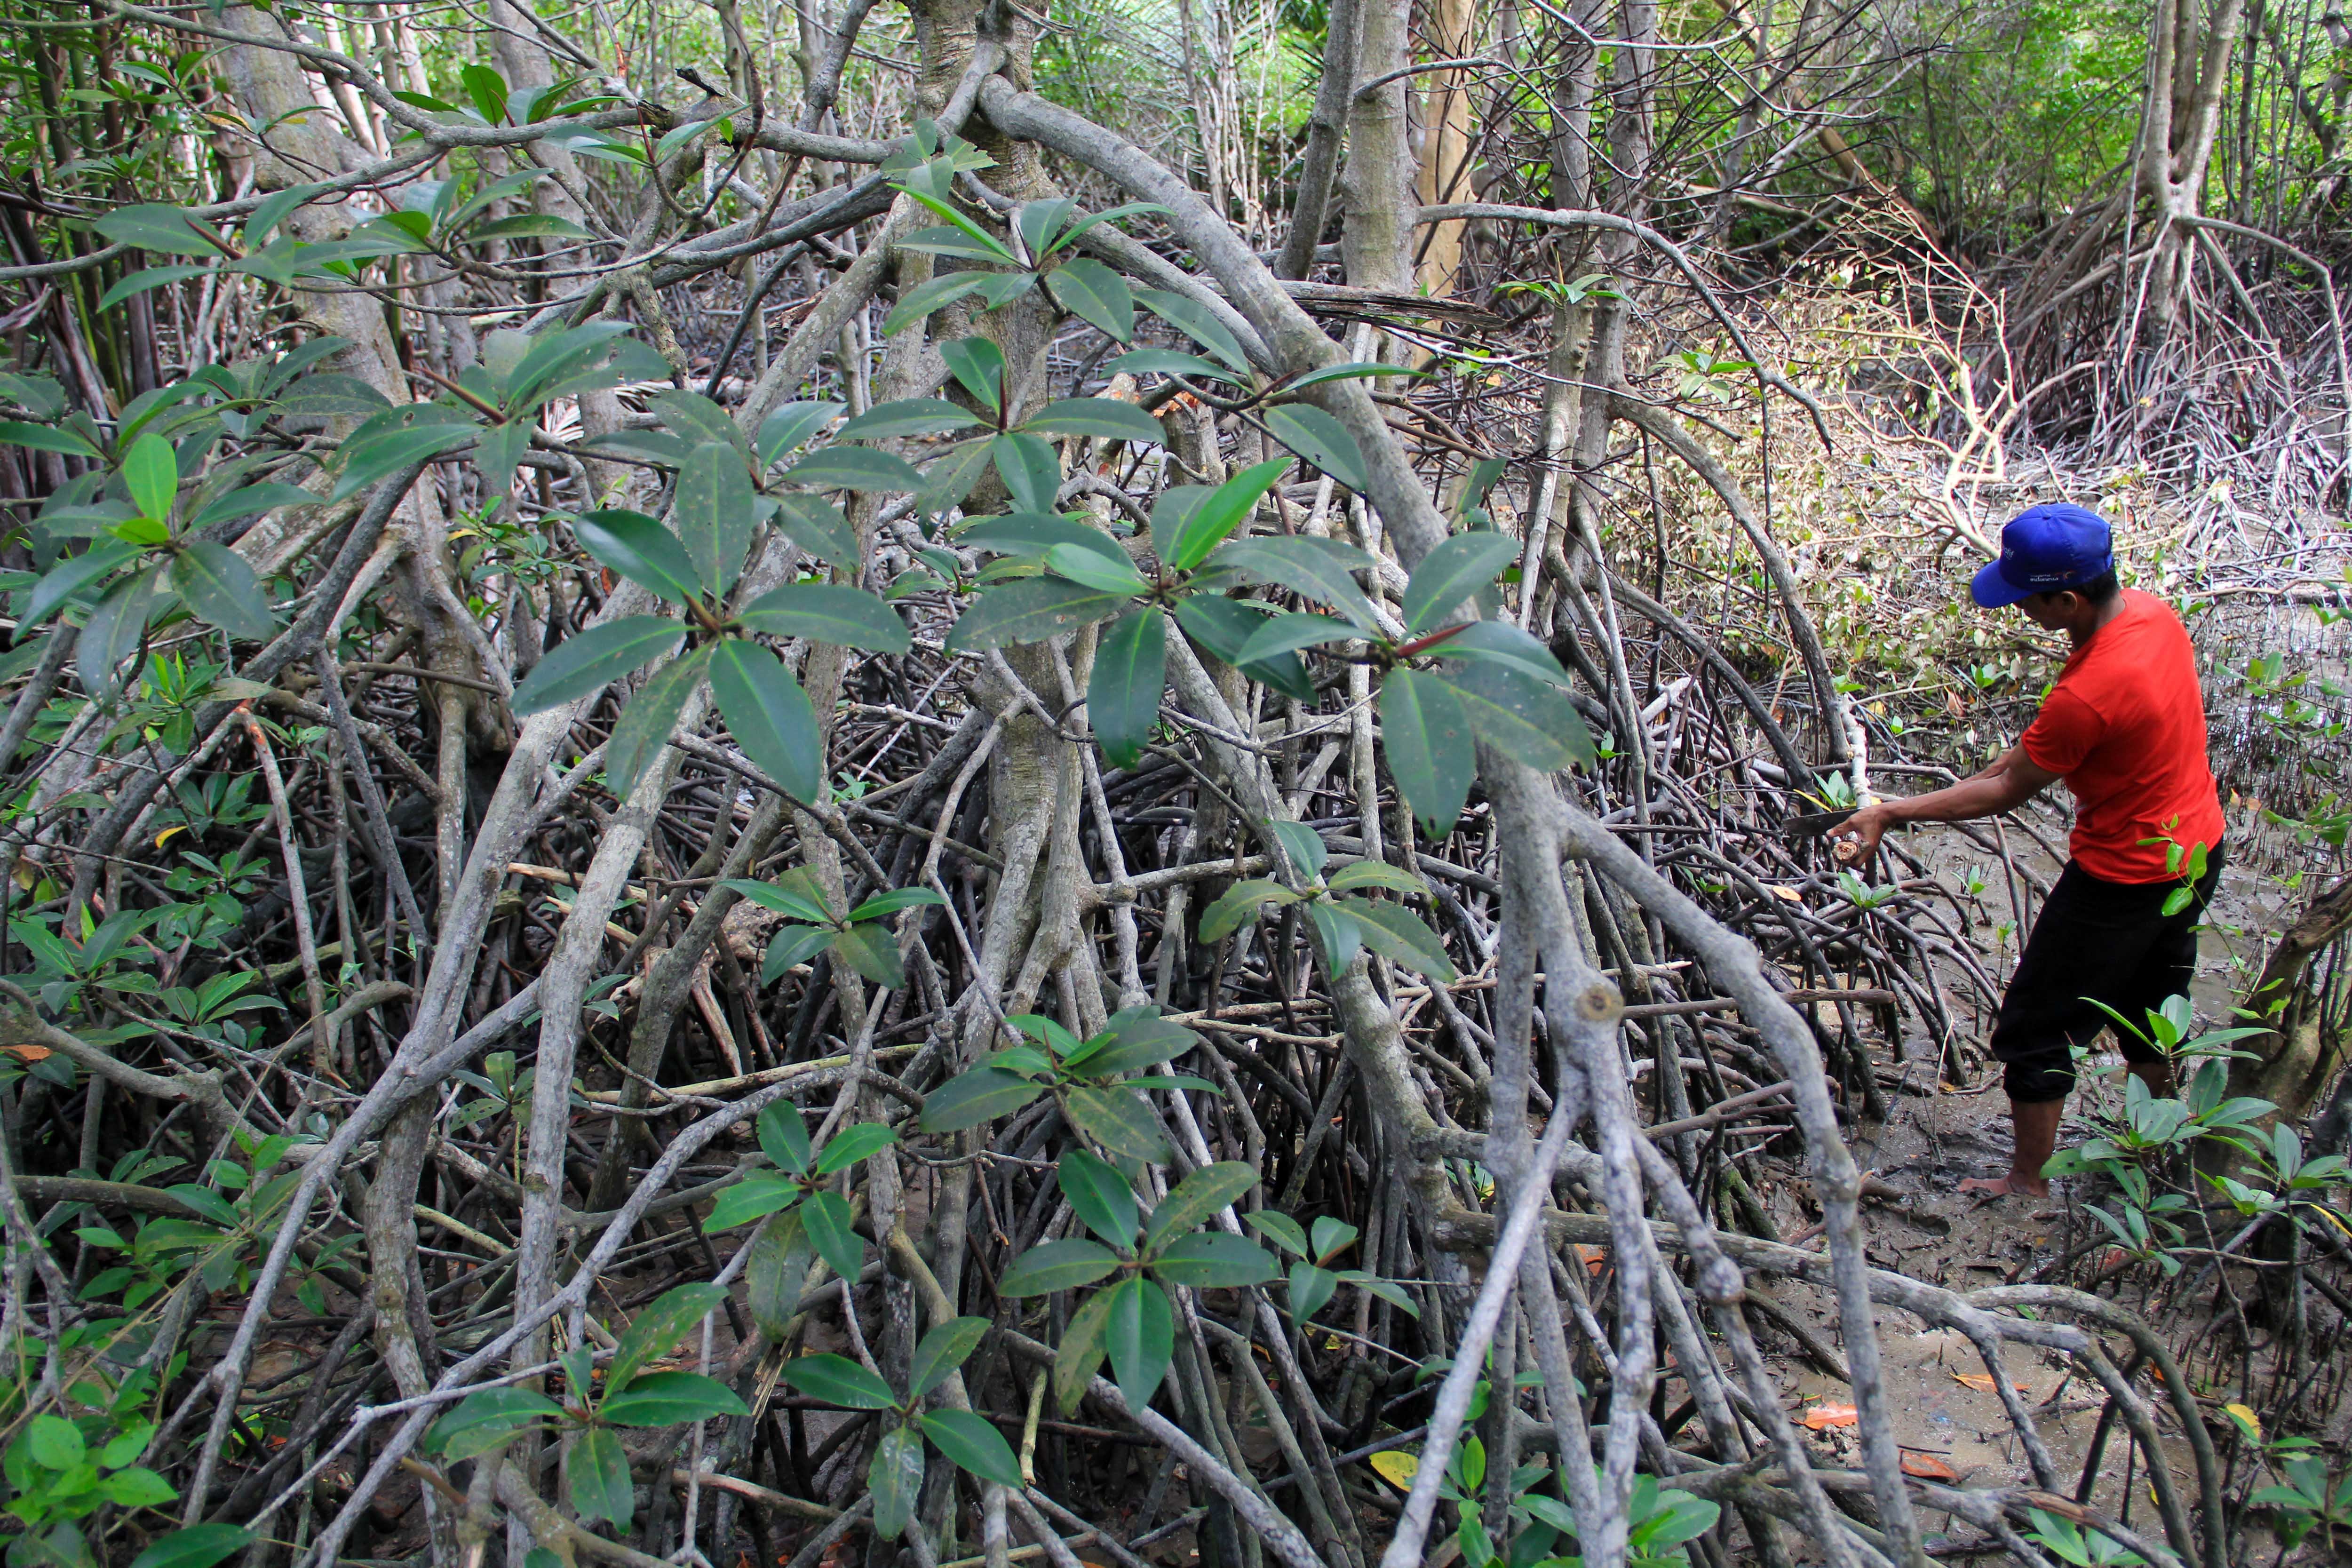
(2125, 728)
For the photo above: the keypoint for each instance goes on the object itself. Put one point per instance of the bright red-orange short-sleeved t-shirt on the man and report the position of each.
(2125, 728)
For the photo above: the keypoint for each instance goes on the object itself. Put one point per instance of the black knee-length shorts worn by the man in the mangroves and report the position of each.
(2094, 942)
